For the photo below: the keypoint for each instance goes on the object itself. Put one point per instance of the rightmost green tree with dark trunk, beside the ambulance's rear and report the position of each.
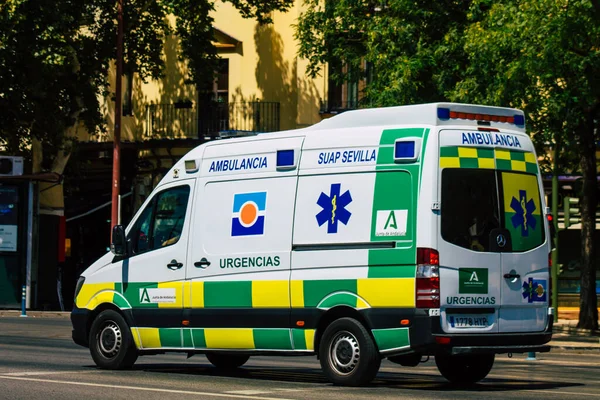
(542, 56)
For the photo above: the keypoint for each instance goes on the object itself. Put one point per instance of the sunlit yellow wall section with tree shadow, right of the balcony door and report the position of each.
(268, 68)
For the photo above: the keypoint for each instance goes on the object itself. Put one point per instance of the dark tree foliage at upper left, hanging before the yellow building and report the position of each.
(55, 57)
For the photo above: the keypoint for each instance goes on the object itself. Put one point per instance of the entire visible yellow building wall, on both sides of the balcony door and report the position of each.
(264, 67)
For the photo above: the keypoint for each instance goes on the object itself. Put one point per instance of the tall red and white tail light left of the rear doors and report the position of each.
(428, 279)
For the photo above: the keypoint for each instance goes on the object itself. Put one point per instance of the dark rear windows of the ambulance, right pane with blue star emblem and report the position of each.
(476, 201)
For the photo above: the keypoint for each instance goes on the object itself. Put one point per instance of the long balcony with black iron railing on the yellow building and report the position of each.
(214, 121)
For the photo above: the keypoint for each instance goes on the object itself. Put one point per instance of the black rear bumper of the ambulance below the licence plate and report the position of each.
(428, 338)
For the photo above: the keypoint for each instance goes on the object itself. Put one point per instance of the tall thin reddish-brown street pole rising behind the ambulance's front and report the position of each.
(116, 187)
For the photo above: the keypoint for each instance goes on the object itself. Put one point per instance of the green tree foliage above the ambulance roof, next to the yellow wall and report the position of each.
(398, 39)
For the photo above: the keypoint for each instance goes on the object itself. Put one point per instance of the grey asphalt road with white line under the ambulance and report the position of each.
(38, 360)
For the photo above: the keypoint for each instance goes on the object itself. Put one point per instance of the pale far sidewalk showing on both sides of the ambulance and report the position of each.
(566, 335)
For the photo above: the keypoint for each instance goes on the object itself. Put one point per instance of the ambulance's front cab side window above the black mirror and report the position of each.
(161, 222)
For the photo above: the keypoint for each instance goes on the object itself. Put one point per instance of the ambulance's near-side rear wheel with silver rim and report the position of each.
(348, 354)
